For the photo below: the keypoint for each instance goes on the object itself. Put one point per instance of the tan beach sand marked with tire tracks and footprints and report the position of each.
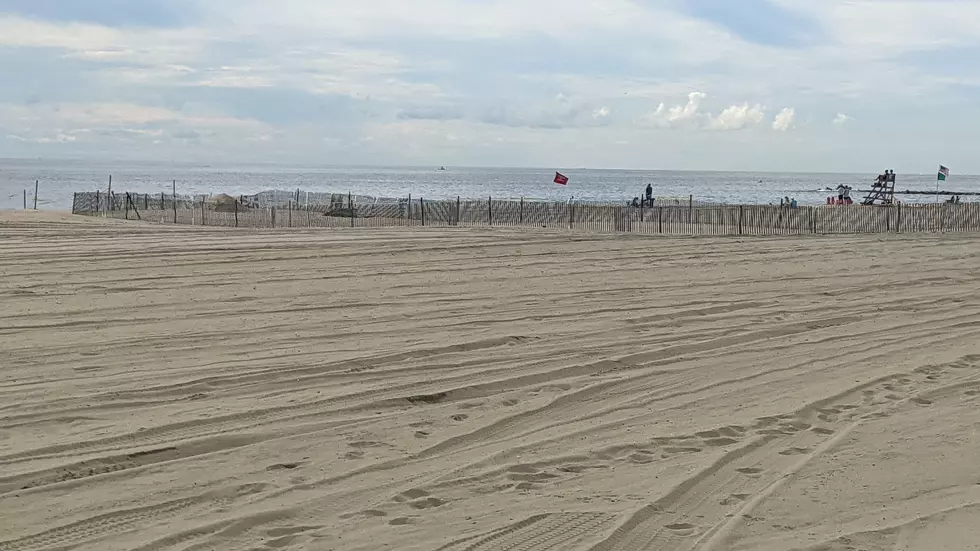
(187, 388)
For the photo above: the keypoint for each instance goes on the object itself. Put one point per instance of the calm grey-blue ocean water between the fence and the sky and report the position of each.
(58, 180)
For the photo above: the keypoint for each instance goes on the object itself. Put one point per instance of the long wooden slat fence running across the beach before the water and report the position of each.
(338, 211)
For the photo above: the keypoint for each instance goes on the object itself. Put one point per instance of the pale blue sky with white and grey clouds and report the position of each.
(781, 85)
